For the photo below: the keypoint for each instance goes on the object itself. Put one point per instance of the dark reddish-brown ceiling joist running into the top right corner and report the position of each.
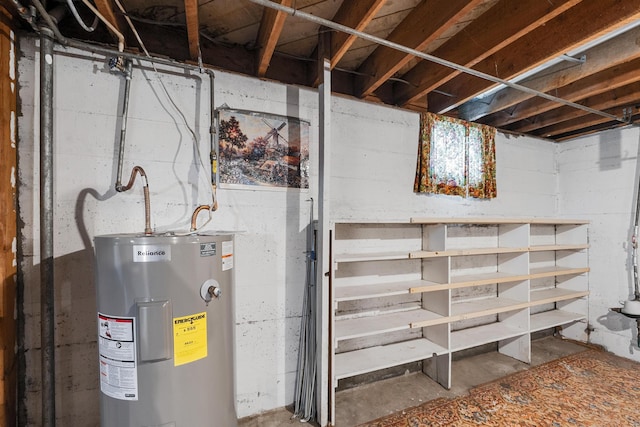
(581, 24)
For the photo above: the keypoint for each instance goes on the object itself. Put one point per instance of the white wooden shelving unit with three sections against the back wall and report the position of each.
(426, 288)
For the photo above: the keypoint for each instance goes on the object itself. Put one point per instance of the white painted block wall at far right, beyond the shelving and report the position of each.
(598, 178)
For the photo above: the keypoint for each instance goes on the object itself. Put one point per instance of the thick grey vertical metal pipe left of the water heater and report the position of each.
(46, 229)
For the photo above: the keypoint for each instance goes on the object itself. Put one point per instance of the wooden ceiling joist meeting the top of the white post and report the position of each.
(353, 14)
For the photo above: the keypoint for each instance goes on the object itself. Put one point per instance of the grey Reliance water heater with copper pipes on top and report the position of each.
(165, 330)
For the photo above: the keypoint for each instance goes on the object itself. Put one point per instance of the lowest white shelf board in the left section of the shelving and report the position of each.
(380, 357)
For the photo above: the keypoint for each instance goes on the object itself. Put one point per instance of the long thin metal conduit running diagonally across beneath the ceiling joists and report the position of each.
(428, 57)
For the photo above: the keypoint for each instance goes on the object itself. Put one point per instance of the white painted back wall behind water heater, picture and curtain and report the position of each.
(373, 165)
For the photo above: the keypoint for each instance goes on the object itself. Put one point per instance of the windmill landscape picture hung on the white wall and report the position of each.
(259, 149)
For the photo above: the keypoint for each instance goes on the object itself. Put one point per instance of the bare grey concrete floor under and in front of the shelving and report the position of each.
(370, 401)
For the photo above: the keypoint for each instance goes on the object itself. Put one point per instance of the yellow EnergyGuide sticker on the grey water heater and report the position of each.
(189, 338)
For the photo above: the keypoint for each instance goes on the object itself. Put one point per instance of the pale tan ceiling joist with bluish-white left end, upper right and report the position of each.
(618, 50)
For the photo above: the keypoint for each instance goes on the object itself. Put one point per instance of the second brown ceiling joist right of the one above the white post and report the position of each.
(477, 41)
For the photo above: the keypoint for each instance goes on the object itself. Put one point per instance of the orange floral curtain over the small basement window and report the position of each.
(455, 158)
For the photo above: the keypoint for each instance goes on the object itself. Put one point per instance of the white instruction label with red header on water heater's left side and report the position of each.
(117, 349)
